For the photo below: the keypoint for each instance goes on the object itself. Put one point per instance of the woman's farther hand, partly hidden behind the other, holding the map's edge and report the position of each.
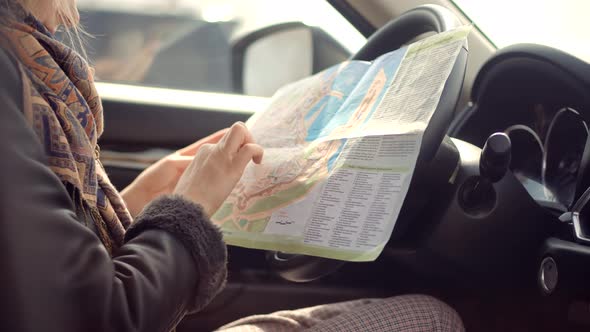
(161, 178)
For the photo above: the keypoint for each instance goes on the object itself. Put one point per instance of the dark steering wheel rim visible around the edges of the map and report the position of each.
(392, 36)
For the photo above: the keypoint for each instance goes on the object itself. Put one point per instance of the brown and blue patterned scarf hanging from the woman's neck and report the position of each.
(62, 106)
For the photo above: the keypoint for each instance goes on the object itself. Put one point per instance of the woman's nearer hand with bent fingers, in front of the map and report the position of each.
(216, 168)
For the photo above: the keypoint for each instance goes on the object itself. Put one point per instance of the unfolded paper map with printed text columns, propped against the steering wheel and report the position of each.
(340, 151)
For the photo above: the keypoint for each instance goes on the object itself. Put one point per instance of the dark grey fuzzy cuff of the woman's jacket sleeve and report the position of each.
(189, 224)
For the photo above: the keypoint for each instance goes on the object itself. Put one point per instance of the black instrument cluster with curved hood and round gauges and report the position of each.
(538, 97)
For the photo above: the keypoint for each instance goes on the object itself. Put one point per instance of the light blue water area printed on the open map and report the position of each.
(354, 83)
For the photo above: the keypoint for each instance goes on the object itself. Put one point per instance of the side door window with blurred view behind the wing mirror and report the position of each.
(187, 44)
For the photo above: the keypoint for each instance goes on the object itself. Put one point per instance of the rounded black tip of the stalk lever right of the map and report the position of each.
(495, 157)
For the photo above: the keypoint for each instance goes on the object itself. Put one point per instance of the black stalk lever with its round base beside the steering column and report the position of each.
(493, 165)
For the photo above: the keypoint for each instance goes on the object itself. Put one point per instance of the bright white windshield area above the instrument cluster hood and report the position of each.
(562, 24)
